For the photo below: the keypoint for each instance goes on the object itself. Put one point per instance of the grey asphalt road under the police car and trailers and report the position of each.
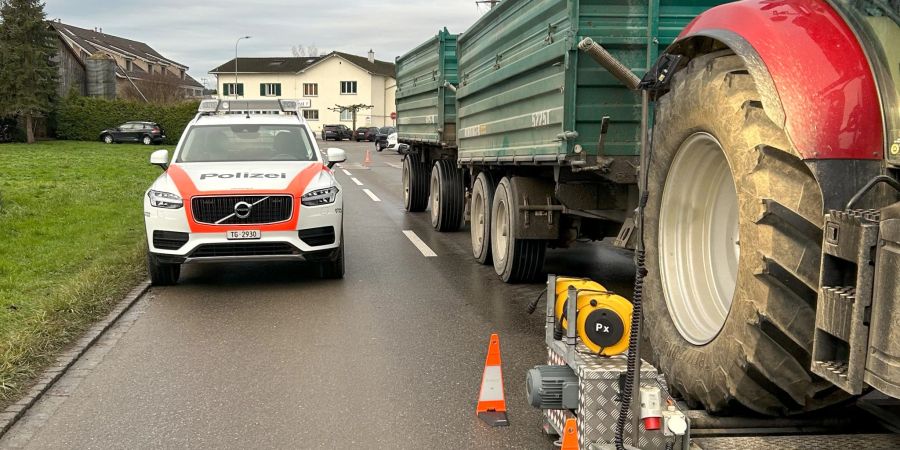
(268, 356)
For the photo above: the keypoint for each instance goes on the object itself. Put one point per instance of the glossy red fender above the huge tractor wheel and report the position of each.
(820, 72)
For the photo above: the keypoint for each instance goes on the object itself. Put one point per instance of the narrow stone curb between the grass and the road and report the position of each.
(63, 362)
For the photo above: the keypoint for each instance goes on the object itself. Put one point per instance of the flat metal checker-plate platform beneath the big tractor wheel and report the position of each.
(819, 442)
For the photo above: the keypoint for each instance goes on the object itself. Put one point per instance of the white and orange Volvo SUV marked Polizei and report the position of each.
(246, 182)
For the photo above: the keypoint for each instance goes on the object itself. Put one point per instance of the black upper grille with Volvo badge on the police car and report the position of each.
(220, 210)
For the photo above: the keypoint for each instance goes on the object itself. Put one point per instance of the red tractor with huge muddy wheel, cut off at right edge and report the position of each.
(772, 221)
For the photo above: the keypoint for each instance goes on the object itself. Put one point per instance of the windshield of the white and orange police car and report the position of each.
(246, 142)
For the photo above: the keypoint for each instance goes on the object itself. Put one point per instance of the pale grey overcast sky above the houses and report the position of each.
(201, 33)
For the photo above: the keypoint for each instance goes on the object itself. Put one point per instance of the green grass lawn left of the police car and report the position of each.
(71, 244)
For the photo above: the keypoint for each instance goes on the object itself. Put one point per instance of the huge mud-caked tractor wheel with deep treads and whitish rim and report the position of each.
(733, 234)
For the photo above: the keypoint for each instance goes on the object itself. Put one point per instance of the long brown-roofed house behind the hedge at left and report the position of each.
(132, 65)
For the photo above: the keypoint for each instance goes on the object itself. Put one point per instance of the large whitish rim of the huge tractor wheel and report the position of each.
(699, 242)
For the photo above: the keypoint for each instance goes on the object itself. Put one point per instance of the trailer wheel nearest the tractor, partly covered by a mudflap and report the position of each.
(515, 260)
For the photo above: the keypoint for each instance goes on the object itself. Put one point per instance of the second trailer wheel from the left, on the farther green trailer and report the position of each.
(447, 196)
